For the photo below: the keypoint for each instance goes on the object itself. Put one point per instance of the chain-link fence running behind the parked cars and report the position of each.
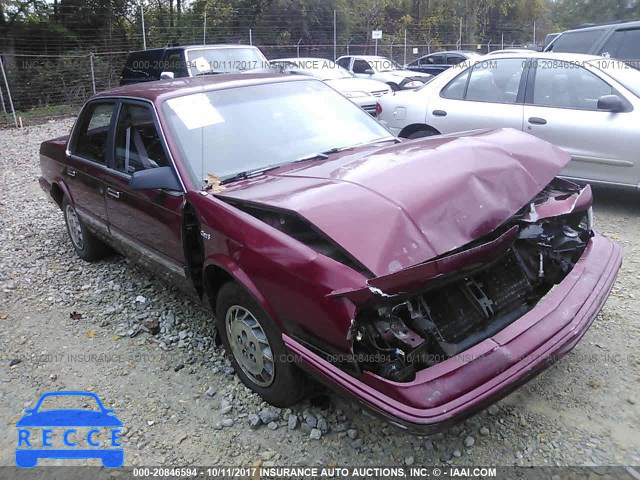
(36, 88)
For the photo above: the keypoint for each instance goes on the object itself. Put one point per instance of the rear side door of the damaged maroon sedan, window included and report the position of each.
(87, 159)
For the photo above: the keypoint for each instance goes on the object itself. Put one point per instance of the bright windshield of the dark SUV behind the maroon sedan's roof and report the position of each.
(203, 61)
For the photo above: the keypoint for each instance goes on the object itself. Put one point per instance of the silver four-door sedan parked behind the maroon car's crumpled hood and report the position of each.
(587, 105)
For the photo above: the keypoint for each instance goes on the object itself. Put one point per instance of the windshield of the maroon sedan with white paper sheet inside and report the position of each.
(225, 132)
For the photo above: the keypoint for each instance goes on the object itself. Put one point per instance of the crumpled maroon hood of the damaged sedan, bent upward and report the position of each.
(395, 206)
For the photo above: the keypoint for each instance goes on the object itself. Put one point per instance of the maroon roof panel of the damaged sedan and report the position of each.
(161, 89)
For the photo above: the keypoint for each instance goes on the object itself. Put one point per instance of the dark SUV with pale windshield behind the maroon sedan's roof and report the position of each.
(190, 61)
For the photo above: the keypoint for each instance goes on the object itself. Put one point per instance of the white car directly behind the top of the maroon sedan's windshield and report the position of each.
(363, 92)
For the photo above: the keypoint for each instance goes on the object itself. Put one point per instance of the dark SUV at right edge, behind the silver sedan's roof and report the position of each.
(615, 40)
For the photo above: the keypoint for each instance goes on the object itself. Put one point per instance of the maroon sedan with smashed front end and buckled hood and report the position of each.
(426, 278)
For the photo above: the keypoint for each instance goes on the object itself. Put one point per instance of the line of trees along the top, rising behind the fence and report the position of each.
(110, 25)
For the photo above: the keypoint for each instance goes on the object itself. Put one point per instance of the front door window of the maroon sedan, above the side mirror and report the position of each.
(138, 145)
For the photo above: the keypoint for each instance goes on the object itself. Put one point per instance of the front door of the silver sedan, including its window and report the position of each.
(561, 107)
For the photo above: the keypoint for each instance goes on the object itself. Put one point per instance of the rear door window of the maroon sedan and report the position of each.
(91, 137)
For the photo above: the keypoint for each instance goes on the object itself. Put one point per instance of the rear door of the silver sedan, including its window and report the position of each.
(485, 95)
